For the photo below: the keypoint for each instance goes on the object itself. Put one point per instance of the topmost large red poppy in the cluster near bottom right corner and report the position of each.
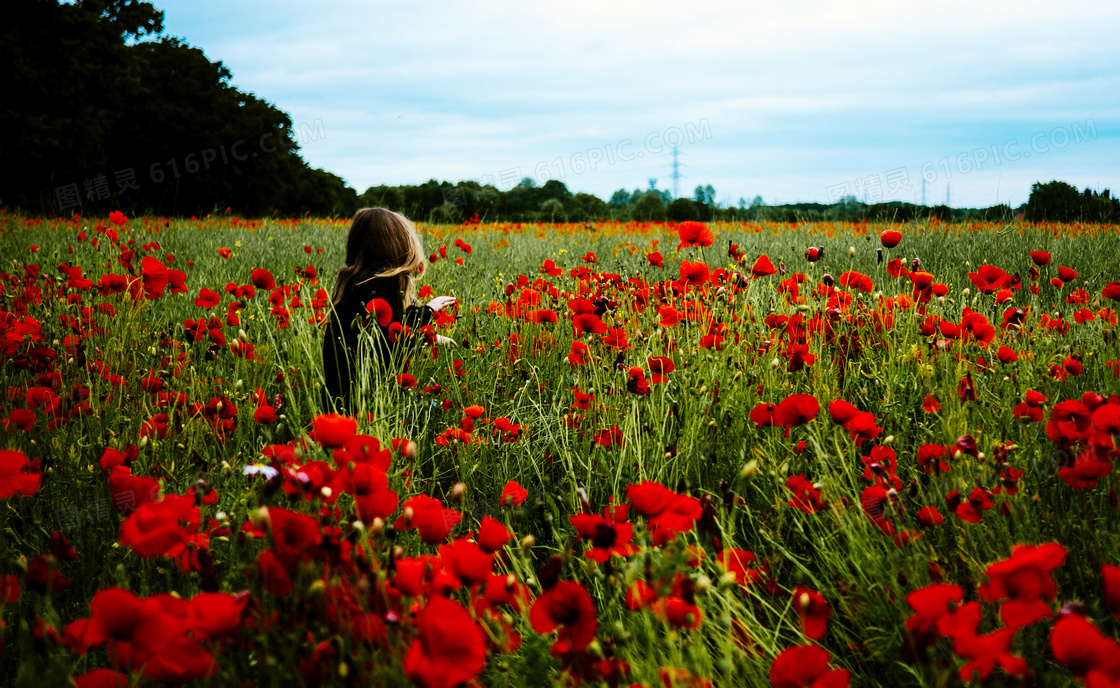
(1024, 581)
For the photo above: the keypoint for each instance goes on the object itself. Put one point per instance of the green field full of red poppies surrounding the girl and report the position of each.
(661, 455)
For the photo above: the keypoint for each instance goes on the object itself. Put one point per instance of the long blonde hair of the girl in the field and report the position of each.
(382, 243)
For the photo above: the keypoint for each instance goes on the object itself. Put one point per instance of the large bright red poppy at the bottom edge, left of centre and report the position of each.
(450, 648)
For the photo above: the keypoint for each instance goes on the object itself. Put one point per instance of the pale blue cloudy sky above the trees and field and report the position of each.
(794, 103)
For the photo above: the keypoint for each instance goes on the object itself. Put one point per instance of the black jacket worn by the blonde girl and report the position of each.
(341, 341)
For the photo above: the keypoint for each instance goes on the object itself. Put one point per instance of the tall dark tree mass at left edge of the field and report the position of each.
(106, 113)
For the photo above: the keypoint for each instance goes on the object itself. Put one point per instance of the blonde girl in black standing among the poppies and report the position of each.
(384, 257)
